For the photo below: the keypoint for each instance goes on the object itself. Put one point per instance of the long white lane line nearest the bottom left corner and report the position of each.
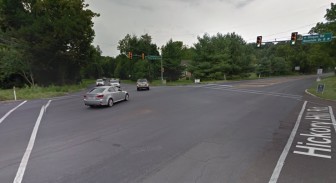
(25, 158)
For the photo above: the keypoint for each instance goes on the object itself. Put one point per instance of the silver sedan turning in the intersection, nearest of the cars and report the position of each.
(105, 96)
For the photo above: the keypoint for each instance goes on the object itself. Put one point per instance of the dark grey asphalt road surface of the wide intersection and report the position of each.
(225, 132)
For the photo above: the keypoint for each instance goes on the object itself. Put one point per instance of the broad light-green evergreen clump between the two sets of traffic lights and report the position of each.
(221, 55)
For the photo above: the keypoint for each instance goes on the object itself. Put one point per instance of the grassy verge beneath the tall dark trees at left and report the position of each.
(42, 92)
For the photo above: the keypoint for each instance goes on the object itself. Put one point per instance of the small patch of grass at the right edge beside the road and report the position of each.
(329, 88)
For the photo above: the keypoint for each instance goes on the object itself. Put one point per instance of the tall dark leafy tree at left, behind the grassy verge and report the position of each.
(55, 36)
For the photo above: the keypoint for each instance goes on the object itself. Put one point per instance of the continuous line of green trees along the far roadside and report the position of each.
(49, 42)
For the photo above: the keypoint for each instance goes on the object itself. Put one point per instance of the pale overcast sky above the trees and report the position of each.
(184, 20)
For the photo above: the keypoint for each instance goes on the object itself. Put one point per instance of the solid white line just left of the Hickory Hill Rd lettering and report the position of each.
(281, 161)
